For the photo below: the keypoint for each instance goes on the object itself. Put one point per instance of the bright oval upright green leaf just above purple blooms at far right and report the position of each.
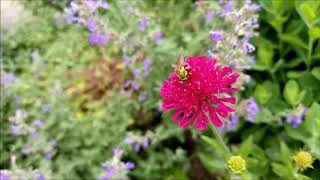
(291, 92)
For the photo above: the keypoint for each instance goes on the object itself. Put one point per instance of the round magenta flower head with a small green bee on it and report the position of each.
(196, 92)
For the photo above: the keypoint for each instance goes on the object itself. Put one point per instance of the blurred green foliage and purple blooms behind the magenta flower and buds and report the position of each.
(80, 83)
